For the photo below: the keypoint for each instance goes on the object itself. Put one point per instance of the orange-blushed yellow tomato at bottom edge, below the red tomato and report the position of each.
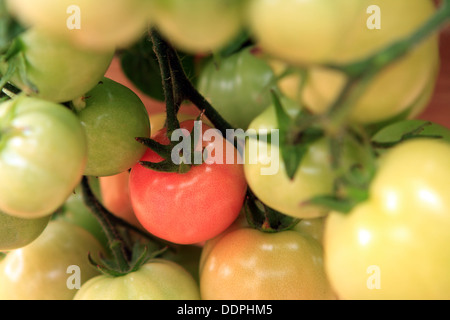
(250, 264)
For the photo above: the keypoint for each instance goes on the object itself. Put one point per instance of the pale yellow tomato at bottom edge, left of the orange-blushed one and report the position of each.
(156, 280)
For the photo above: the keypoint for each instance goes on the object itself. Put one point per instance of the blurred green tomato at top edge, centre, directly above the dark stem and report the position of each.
(198, 26)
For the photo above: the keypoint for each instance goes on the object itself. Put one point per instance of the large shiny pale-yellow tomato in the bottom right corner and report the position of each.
(392, 246)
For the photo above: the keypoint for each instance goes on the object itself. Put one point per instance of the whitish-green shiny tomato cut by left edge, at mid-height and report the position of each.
(42, 156)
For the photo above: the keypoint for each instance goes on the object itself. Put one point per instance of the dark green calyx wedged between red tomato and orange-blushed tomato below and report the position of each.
(264, 218)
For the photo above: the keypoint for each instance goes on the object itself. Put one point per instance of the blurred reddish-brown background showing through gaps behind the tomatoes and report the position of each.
(437, 111)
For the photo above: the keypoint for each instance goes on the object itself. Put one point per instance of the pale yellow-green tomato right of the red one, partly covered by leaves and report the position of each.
(266, 174)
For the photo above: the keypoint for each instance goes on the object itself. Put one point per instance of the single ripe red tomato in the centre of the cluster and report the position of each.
(190, 207)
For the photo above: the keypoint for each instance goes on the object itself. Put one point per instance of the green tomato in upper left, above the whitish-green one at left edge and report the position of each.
(55, 70)
